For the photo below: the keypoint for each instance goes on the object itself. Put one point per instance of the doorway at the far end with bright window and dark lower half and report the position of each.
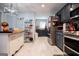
(41, 27)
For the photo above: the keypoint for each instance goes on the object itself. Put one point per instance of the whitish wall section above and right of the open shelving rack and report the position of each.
(27, 16)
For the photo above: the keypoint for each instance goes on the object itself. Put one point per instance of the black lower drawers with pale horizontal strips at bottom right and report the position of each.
(71, 46)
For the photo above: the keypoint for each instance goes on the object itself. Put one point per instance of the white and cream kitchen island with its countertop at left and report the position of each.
(10, 42)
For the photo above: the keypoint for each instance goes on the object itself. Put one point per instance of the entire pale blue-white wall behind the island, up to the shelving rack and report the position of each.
(14, 20)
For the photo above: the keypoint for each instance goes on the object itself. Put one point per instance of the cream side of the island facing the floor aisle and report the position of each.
(16, 43)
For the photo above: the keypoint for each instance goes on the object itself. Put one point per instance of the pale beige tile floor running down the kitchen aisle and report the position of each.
(40, 47)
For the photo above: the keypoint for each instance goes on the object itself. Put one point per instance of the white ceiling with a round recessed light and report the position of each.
(50, 8)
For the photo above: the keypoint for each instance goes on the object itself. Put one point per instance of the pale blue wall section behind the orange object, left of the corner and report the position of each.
(11, 19)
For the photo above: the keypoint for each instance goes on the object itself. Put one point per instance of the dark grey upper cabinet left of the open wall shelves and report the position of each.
(64, 13)
